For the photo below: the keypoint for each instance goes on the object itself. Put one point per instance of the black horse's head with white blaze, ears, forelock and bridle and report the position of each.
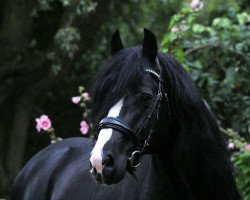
(131, 81)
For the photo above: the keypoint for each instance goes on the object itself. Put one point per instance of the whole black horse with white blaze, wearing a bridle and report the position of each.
(157, 139)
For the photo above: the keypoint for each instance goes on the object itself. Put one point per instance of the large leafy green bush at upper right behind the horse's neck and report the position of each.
(217, 57)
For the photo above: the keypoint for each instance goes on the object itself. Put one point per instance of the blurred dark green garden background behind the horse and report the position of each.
(48, 48)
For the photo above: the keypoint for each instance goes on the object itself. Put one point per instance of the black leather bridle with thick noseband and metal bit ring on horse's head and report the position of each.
(122, 127)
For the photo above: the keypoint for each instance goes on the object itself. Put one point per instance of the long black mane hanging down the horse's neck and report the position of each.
(199, 152)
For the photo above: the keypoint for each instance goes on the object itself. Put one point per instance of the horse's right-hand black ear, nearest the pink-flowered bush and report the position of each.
(150, 45)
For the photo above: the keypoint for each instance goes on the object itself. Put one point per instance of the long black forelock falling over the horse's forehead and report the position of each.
(117, 77)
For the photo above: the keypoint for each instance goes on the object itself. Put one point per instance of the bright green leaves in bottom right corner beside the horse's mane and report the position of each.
(243, 180)
